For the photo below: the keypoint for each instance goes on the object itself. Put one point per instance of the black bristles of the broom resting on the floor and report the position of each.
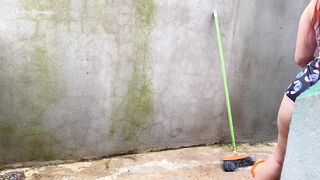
(232, 165)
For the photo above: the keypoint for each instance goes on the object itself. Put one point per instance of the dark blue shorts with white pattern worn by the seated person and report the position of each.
(305, 79)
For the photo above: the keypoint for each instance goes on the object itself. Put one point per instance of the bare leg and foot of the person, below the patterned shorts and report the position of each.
(271, 168)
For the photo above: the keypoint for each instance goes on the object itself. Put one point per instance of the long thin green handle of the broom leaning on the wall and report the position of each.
(224, 76)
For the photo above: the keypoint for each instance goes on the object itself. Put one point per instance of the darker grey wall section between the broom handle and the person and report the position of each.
(262, 64)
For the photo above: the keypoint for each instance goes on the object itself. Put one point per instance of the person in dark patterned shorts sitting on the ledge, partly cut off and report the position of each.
(308, 39)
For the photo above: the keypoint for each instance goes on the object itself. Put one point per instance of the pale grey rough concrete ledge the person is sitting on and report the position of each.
(301, 161)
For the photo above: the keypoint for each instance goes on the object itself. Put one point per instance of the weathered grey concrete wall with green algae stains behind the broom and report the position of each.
(94, 78)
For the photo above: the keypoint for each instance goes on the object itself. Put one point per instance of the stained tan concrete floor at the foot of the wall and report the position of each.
(186, 163)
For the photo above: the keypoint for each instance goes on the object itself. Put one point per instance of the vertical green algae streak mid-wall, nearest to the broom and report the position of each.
(138, 101)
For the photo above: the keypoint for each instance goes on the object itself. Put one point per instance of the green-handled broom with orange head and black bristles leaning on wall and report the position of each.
(235, 160)
